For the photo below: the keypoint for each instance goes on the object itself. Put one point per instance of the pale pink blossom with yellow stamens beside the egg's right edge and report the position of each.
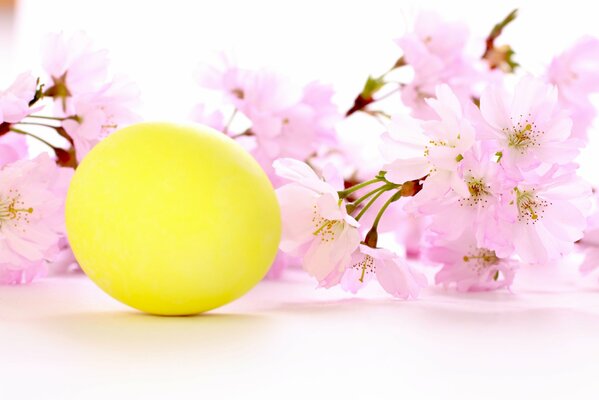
(316, 224)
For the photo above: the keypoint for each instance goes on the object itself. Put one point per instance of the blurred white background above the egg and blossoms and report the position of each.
(159, 44)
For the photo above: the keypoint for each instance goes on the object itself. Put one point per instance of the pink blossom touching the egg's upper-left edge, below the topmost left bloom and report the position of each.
(98, 114)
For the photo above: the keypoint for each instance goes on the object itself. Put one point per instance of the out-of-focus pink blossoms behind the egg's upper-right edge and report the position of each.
(282, 118)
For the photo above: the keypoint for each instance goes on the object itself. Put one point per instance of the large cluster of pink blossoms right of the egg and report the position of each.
(478, 179)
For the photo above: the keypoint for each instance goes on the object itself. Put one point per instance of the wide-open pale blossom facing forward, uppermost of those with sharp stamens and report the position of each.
(528, 126)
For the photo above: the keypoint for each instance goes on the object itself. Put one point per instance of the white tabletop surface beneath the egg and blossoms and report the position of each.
(65, 339)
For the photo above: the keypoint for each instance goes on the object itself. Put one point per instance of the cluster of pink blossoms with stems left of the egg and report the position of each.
(69, 110)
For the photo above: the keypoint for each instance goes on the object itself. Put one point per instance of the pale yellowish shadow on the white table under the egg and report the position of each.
(136, 334)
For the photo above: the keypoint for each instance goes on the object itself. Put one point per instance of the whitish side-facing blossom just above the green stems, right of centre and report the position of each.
(433, 148)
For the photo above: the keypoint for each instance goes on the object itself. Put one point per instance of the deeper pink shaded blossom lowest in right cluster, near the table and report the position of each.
(469, 267)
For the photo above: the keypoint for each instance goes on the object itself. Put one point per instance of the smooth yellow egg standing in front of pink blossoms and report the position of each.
(172, 219)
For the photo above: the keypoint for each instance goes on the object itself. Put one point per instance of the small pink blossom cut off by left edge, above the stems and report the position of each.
(14, 101)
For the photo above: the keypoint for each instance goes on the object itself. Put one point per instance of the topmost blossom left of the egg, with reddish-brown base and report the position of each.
(74, 66)
